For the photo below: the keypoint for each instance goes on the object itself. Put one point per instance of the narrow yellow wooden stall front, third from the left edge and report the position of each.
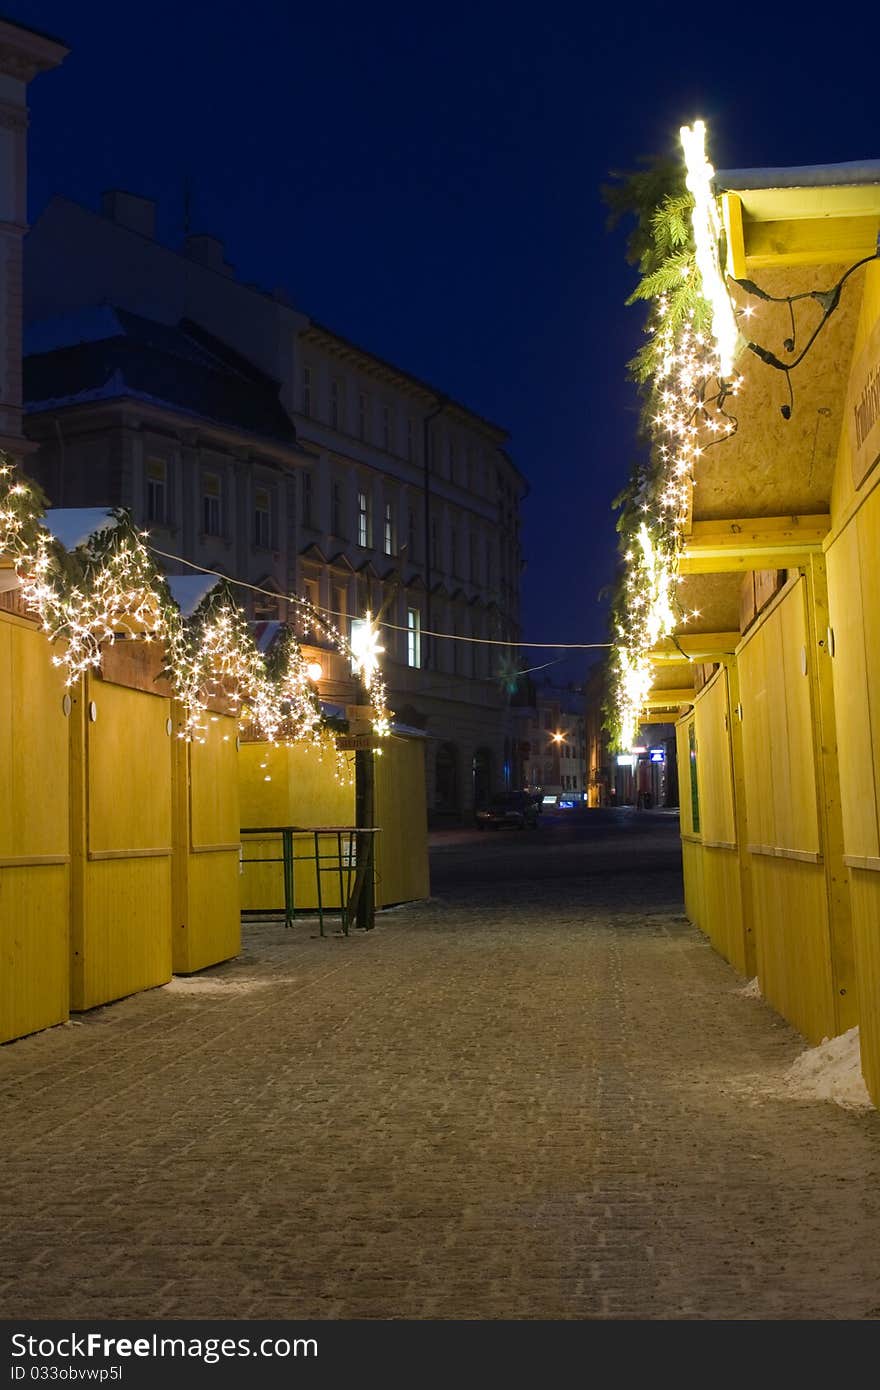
(206, 922)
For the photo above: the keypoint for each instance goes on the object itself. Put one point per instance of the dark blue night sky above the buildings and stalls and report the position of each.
(426, 181)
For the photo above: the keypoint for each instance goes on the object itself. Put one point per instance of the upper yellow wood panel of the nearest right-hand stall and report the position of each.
(856, 743)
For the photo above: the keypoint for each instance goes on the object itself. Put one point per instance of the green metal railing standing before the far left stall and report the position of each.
(351, 862)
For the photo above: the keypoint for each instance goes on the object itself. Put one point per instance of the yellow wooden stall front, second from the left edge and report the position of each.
(122, 829)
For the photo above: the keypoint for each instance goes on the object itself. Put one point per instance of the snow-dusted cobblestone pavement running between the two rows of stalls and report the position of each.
(537, 1096)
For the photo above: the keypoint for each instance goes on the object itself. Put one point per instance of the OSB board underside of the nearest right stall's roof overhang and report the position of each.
(775, 466)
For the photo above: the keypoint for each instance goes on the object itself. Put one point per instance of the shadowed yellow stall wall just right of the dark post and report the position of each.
(401, 812)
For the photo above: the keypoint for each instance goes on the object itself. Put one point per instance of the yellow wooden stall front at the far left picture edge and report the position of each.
(34, 833)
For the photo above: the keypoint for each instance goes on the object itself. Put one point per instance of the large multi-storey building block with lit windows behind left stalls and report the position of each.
(255, 441)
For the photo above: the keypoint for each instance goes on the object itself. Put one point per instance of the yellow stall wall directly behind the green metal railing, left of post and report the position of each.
(294, 786)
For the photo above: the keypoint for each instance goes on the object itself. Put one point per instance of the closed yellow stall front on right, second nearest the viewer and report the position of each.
(801, 947)
